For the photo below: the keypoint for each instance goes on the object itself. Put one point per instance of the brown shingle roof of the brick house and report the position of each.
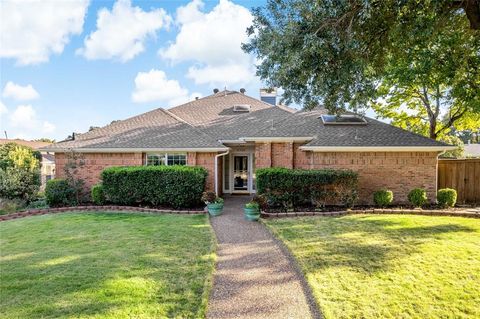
(202, 123)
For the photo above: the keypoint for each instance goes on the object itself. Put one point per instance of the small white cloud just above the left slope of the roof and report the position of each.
(155, 86)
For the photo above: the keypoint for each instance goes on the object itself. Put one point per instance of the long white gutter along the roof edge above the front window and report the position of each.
(133, 150)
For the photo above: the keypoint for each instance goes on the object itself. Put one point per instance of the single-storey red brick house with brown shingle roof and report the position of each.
(232, 135)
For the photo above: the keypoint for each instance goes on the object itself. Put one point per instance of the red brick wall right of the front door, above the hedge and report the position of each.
(397, 171)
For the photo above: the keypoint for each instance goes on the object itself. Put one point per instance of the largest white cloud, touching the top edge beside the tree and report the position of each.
(213, 40)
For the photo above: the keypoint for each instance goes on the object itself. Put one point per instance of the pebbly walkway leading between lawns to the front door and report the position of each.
(255, 276)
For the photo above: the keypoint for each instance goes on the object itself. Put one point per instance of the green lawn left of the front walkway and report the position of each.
(105, 266)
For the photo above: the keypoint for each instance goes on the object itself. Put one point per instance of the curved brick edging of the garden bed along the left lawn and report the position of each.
(35, 212)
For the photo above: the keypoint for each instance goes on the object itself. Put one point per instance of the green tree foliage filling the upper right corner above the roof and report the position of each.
(345, 54)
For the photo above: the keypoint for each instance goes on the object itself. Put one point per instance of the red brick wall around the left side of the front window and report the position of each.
(95, 163)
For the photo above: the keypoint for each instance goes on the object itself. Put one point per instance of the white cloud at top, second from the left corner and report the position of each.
(121, 33)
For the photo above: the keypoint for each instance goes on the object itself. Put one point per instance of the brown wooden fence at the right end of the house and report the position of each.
(462, 175)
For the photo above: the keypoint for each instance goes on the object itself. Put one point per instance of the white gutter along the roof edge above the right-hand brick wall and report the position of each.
(377, 148)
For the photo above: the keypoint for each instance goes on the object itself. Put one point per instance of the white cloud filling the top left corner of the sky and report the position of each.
(33, 30)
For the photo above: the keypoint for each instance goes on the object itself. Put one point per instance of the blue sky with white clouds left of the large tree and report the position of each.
(67, 65)
